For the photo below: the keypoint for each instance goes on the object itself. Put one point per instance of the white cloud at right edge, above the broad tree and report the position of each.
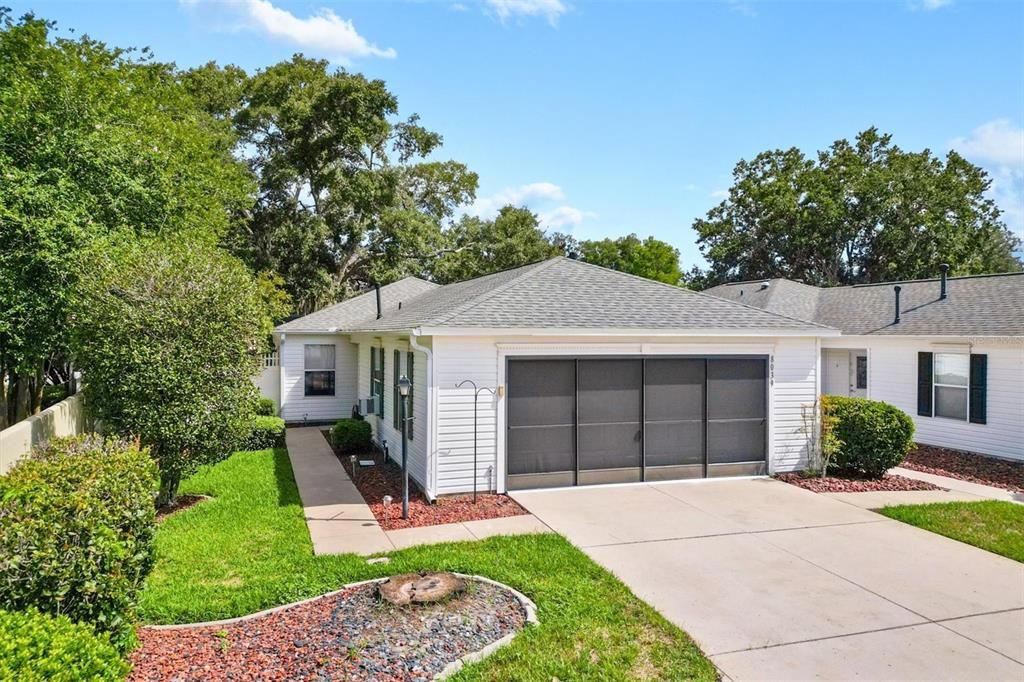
(999, 147)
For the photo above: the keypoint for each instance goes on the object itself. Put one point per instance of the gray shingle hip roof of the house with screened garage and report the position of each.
(567, 294)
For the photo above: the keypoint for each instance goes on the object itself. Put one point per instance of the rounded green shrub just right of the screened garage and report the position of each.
(875, 436)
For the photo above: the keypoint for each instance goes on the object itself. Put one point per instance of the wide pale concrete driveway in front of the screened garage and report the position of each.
(775, 582)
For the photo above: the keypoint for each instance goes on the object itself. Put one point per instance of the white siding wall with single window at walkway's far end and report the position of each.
(297, 407)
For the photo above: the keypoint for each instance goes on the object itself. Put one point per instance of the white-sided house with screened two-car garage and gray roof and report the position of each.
(600, 377)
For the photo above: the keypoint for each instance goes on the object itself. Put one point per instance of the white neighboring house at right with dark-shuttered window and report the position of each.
(952, 357)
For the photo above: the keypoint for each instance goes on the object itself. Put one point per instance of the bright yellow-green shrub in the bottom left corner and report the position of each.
(35, 648)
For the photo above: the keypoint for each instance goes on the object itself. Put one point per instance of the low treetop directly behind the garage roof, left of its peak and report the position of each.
(478, 246)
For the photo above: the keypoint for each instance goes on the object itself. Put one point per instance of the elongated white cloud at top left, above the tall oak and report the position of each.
(324, 33)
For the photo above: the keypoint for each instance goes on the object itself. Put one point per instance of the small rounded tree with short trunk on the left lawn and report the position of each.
(169, 335)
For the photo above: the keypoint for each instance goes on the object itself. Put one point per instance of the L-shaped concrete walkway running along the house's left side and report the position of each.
(340, 522)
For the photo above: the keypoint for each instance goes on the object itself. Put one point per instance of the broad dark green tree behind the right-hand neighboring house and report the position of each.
(862, 211)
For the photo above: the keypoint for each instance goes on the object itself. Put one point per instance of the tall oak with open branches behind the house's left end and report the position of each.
(347, 196)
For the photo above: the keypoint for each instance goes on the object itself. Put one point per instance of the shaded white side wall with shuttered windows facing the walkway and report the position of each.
(385, 431)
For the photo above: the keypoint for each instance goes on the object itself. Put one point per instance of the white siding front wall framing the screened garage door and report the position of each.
(794, 387)
